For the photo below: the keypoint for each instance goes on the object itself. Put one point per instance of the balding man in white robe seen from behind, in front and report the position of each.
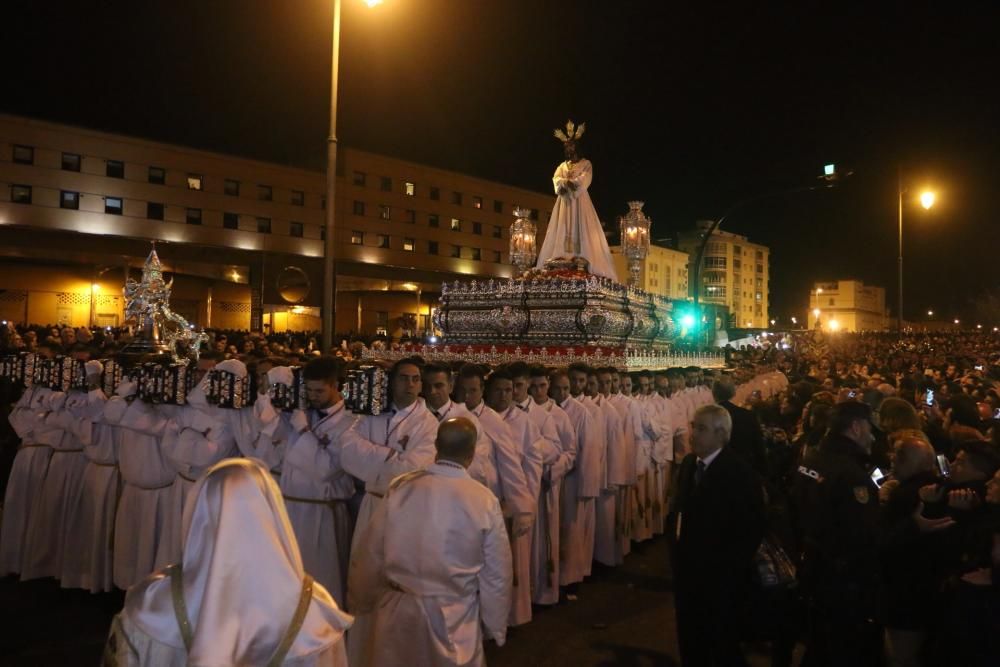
(434, 569)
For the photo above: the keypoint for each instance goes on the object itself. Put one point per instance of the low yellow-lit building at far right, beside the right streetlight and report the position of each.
(847, 305)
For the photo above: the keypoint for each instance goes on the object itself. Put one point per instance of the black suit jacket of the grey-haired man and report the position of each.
(717, 524)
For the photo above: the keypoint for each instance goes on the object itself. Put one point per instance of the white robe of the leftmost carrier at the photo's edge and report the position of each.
(26, 477)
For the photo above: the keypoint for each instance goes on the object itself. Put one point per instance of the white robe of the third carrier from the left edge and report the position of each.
(91, 522)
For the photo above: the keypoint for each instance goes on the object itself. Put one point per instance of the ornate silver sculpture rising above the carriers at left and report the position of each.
(147, 307)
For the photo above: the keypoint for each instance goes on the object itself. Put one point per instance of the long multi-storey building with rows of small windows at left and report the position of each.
(243, 239)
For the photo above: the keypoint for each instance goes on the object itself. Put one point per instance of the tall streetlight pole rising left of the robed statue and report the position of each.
(329, 267)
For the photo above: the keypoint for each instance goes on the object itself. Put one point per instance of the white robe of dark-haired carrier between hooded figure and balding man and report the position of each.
(317, 489)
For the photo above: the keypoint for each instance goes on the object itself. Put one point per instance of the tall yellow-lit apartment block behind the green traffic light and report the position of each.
(735, 273)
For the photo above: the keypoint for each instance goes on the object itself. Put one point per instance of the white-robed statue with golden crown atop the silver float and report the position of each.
(574, 230)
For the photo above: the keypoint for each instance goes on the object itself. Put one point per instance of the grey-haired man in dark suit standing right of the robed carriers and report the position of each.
(717, 523)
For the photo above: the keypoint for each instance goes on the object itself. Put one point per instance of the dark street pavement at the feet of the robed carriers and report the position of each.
(622, 616)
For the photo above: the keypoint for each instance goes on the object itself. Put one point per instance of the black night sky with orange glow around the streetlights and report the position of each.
(691, 107)
